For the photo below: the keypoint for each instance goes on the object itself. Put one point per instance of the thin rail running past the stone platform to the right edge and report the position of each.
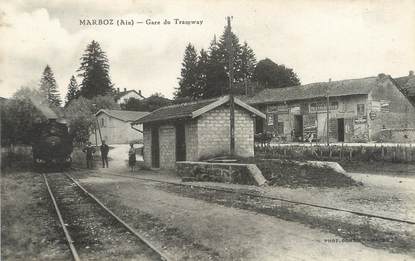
(273, 198)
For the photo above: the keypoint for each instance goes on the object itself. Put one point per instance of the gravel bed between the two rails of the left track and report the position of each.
(97, 235)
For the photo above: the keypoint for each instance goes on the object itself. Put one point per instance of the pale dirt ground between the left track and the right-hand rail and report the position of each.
(230, 233)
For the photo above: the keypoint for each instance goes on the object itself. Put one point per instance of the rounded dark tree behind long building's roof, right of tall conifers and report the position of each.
(272, 75)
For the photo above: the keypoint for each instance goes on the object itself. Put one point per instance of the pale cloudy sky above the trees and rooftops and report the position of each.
(319, 39)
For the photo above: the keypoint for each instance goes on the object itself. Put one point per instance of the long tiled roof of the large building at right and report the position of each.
(313, 90)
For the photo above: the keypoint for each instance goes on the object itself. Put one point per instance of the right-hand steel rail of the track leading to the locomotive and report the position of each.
(128, 227)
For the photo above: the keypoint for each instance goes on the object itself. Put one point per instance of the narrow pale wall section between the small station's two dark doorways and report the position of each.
(167, 141)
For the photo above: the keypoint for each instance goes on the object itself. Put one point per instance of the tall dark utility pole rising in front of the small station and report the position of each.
(231, 99)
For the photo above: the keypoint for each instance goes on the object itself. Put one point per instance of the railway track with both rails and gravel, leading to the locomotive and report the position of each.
(93, 231)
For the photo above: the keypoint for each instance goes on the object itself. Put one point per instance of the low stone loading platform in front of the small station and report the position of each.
(245, 174)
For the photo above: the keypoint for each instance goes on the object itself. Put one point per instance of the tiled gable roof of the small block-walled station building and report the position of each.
(192, 110)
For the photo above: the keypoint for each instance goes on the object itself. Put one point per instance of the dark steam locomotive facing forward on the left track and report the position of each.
(52, 145)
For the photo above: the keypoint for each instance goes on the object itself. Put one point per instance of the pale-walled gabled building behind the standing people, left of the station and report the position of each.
(115, 126)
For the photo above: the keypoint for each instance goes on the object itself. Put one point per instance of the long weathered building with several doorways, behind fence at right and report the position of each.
(359, 110)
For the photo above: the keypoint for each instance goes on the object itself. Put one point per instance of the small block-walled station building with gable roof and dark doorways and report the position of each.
(197, 130)
